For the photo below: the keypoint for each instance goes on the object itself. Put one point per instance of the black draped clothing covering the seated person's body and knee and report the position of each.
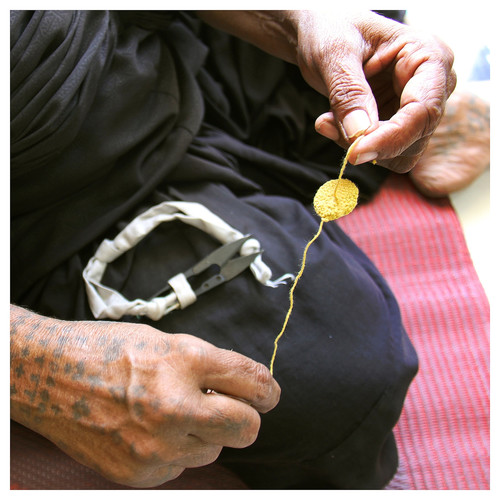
(112, 113)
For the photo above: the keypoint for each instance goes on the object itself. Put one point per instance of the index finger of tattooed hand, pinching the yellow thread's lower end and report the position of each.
(228, 372)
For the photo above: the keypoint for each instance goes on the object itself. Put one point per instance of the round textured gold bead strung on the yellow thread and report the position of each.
(335, 199)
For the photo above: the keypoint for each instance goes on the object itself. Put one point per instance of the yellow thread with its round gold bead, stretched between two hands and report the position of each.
(328, 207)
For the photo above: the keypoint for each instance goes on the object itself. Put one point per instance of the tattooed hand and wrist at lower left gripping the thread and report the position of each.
(133, 403)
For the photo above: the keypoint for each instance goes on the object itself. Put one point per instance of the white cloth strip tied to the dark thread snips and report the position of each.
(106, 302)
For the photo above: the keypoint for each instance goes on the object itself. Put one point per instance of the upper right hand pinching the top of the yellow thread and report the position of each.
(382, 78)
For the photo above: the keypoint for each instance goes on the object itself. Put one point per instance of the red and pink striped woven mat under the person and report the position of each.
(443, 434)
